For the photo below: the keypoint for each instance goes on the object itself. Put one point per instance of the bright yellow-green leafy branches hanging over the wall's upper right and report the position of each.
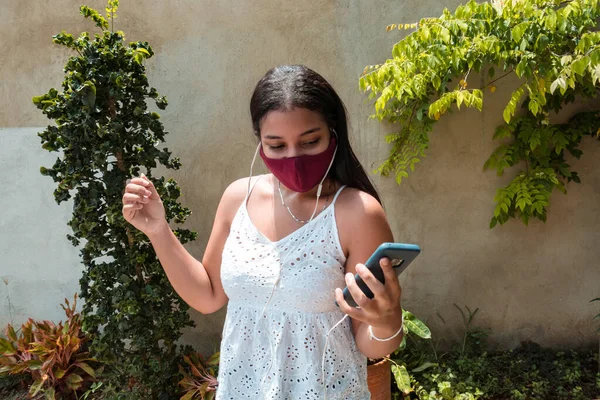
(551, 46)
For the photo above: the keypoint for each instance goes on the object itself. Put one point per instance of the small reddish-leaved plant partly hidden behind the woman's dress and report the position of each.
(201, 380)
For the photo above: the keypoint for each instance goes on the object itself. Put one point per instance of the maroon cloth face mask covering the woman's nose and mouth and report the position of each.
(301, 173)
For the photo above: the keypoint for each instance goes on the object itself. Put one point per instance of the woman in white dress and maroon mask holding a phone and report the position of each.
(282, 247)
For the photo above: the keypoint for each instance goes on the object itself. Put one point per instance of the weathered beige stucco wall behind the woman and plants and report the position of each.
(529, 282)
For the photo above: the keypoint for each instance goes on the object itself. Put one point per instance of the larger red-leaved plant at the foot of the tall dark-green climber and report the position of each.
(53, 355)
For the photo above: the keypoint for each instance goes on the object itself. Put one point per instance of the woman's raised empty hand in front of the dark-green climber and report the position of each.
(142, 206)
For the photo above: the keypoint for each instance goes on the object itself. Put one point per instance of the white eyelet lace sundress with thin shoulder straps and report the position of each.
(278, 354)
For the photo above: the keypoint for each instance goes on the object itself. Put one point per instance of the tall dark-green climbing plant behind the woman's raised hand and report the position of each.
(106, 133)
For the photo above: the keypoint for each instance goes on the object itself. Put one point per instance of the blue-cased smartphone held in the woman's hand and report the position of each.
(400, 255)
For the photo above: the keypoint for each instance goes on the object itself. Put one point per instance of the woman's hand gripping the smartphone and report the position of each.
(384, 309)
